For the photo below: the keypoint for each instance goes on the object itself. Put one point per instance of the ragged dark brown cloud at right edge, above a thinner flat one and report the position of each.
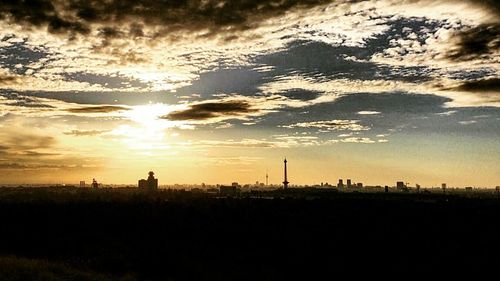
(478, 42)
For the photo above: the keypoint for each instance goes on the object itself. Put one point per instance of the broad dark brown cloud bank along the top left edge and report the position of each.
(118, 18)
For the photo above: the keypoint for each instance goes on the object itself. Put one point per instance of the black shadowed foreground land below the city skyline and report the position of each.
(70, 234)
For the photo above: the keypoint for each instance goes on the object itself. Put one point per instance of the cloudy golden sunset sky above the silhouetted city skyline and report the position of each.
(217, 91)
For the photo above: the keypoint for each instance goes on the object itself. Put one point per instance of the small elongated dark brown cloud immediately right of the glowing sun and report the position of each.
(208, 110)
